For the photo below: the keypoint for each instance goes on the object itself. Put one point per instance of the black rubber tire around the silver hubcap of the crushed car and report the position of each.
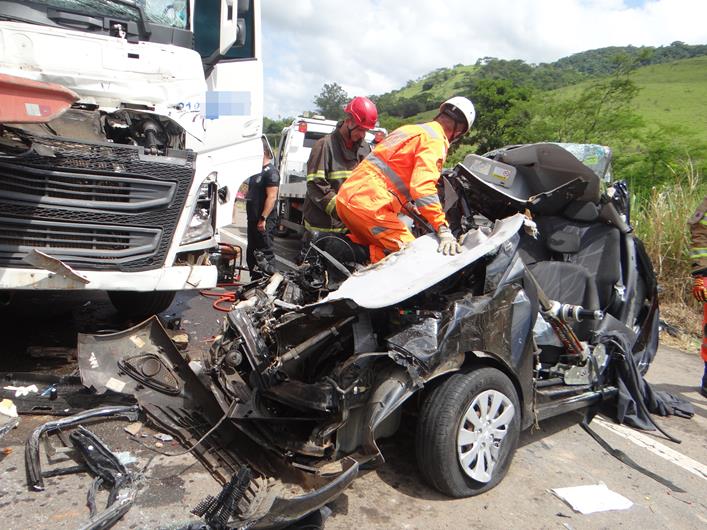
(440, 421)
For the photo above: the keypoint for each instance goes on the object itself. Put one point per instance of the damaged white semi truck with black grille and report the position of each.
(126, 190)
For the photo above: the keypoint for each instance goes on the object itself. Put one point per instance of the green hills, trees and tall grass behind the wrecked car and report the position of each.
(647, 103)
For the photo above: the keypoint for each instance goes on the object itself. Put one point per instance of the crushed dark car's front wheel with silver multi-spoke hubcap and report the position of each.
(467, 432)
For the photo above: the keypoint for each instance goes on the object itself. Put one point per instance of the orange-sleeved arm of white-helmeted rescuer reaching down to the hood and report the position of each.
(423, 182)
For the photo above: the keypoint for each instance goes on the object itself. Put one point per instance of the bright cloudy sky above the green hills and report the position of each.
(374, 46)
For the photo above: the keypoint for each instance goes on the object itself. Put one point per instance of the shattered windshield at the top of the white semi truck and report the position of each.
(163, 12)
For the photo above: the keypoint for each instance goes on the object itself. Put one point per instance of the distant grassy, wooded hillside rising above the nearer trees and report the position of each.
(672, 83)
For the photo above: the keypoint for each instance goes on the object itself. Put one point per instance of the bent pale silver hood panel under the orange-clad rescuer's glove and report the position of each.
(419, 266)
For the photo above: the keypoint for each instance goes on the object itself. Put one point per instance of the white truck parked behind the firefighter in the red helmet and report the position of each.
(295, 146)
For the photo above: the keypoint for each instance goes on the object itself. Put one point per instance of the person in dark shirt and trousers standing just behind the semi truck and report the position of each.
(261, 215)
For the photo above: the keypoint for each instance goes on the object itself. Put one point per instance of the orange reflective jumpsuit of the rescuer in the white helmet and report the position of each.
(405, 167)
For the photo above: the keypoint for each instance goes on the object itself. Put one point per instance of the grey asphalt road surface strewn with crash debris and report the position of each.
(560, 454)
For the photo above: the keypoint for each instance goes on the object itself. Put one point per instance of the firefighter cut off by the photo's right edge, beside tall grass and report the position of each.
(698, 259)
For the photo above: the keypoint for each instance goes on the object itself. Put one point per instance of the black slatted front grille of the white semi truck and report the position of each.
(93, 206)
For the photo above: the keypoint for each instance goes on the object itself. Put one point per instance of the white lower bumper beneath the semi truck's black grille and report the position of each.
(166, 279)
